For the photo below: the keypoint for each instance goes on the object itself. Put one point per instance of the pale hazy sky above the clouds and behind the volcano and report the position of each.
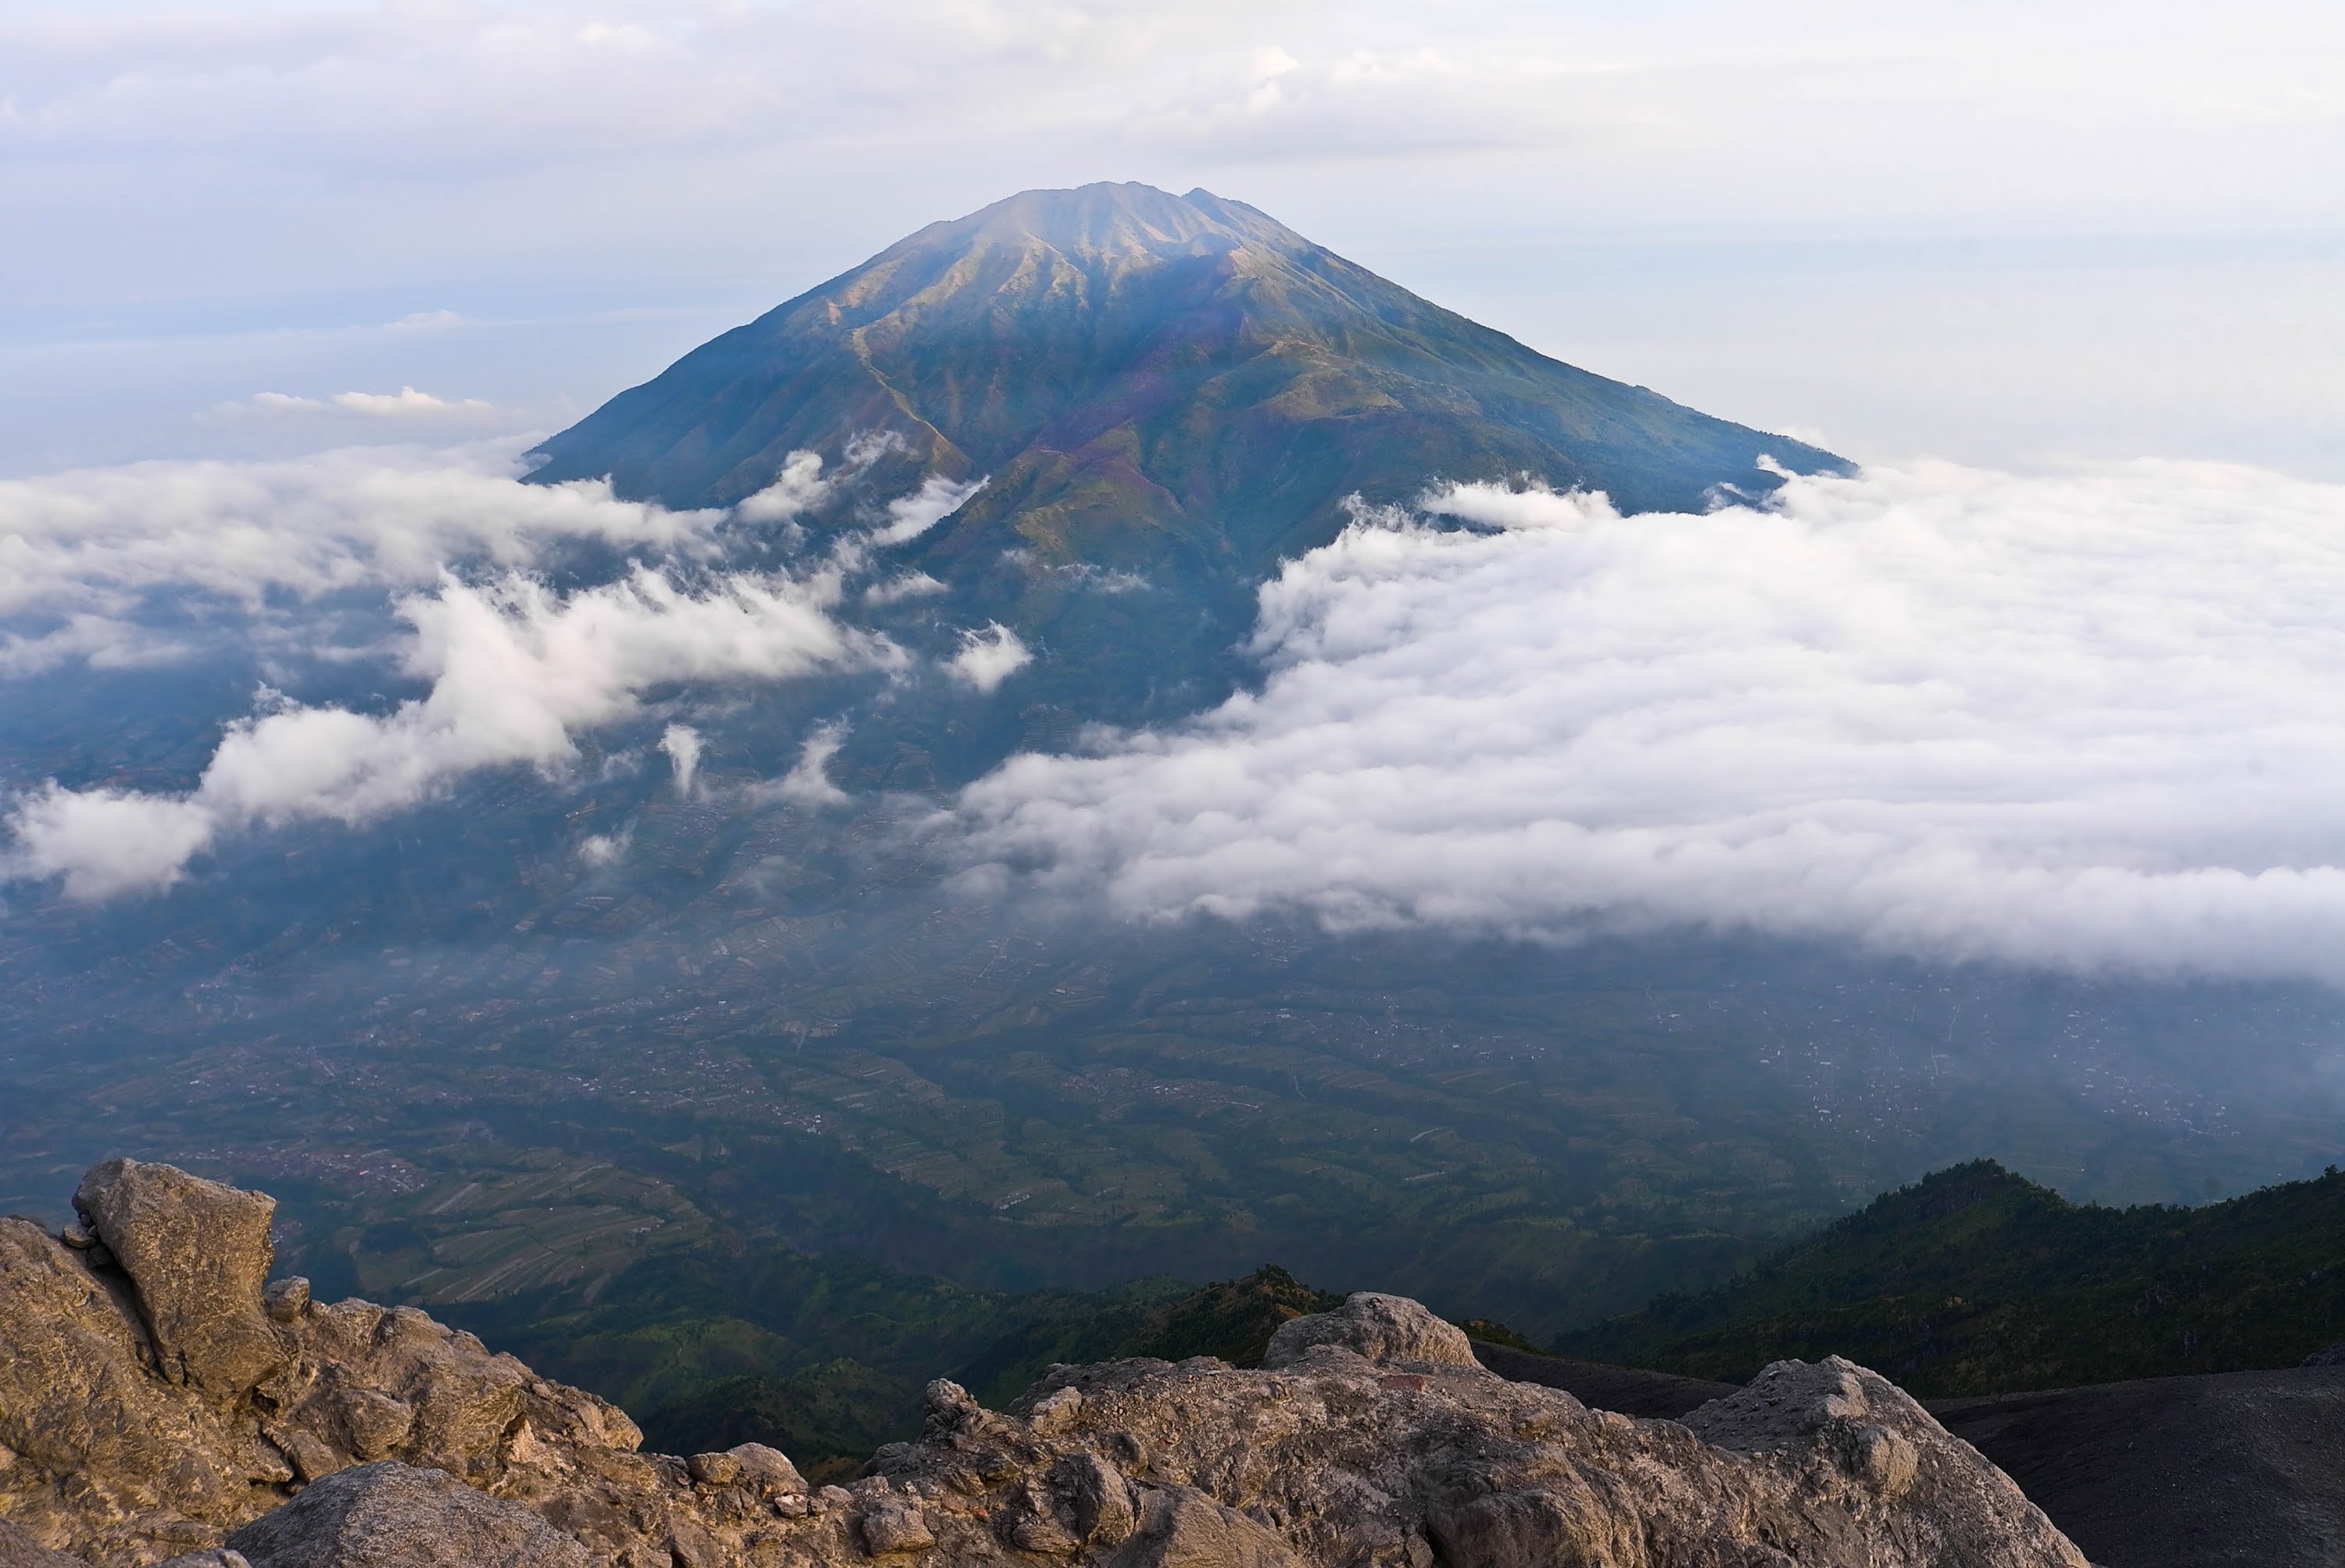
(2013, 236)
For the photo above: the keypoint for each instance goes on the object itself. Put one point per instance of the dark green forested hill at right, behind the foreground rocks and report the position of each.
(1978, 1281)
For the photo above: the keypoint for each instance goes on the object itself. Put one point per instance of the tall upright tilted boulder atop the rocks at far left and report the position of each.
(198, 1255)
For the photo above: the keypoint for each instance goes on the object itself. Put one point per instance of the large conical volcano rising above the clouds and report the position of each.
(1160, 390)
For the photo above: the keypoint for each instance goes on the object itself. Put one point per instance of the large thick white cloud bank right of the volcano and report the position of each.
(2084, 721)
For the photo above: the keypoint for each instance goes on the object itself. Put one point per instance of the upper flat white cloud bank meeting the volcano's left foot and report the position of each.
(97, 540)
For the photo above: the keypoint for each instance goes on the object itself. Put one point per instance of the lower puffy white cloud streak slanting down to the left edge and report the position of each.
(515, 671)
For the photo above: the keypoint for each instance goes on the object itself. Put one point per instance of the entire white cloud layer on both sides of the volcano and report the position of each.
(2081, 721)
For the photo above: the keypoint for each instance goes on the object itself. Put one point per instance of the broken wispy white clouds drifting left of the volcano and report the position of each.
(515, 669)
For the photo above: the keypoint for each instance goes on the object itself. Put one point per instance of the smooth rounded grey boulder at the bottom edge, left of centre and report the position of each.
(400, 1518)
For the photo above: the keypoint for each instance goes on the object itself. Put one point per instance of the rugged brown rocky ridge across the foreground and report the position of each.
(163, 1400)
